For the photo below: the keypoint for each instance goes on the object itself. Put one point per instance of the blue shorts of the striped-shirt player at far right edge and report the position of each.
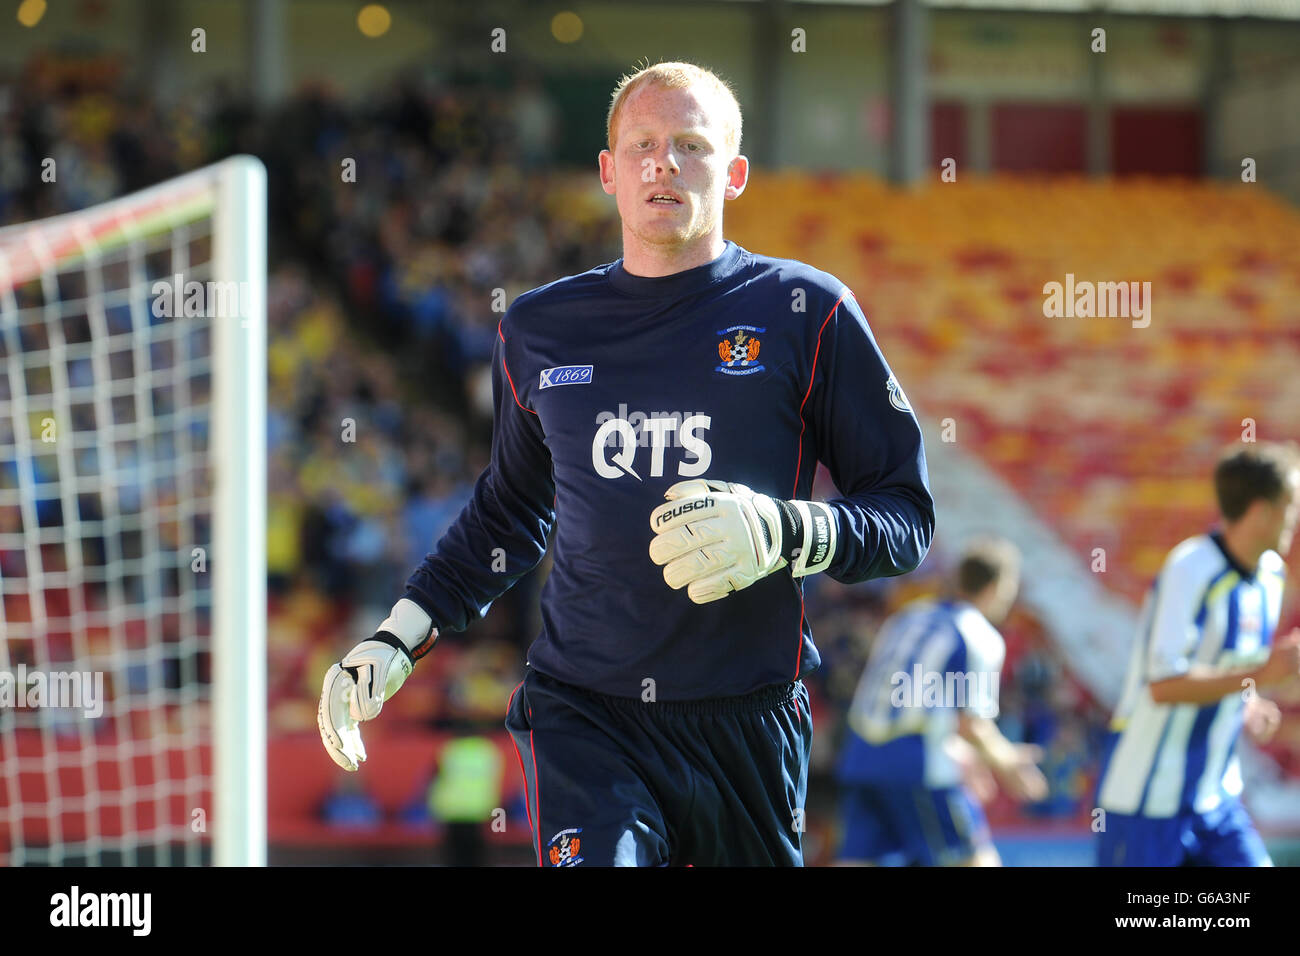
(1225, 837)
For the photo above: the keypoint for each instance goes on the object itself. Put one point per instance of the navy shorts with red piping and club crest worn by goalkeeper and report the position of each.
(622, 782)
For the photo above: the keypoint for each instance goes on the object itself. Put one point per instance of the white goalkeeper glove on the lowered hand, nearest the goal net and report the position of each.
(357, 687)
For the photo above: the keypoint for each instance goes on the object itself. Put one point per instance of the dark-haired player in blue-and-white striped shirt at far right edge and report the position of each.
(1172, 785)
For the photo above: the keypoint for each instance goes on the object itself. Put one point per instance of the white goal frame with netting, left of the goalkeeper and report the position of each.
(133, 529)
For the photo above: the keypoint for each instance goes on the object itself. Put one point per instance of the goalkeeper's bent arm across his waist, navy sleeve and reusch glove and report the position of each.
(716, 537)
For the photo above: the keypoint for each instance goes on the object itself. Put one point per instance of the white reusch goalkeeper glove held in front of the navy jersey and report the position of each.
(714, 538)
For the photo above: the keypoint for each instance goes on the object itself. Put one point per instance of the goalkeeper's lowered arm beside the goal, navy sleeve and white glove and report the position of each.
(500, 537)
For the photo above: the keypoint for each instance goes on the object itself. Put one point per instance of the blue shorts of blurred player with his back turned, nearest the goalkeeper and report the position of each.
(900, 825)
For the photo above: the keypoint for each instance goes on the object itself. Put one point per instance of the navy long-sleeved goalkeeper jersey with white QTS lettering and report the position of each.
(610, 388)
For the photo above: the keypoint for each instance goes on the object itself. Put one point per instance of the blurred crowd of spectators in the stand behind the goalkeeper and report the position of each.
(400, 228)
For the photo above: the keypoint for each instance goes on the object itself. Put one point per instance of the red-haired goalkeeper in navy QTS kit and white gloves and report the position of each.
(666, 413)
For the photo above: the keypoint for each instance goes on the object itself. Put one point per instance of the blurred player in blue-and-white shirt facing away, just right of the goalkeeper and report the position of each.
(918, 760)
